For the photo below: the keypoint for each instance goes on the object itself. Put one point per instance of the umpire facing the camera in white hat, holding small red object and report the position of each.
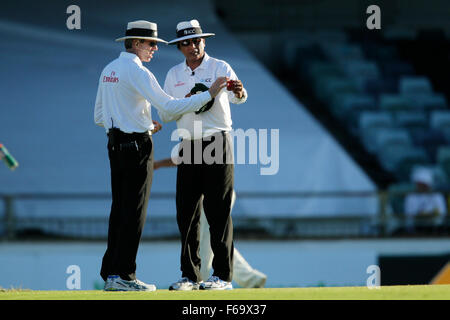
(214, 181)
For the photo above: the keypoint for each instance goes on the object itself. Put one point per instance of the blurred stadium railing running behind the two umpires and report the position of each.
(388, 222)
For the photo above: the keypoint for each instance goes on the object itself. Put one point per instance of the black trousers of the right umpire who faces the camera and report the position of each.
(215, 182)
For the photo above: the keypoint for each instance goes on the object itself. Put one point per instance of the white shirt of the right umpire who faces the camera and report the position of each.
(181, 79)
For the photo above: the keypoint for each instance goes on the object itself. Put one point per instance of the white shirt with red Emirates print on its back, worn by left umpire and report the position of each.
(126, 92)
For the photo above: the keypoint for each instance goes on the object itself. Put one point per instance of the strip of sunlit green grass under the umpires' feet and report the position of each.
(424, 292)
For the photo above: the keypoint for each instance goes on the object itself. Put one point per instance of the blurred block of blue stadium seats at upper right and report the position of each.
(381, 98)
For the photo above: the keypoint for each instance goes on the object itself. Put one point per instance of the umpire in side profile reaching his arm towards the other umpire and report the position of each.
(126, 92)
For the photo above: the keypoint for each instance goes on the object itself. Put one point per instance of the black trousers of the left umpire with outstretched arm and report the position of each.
(131, 162)
